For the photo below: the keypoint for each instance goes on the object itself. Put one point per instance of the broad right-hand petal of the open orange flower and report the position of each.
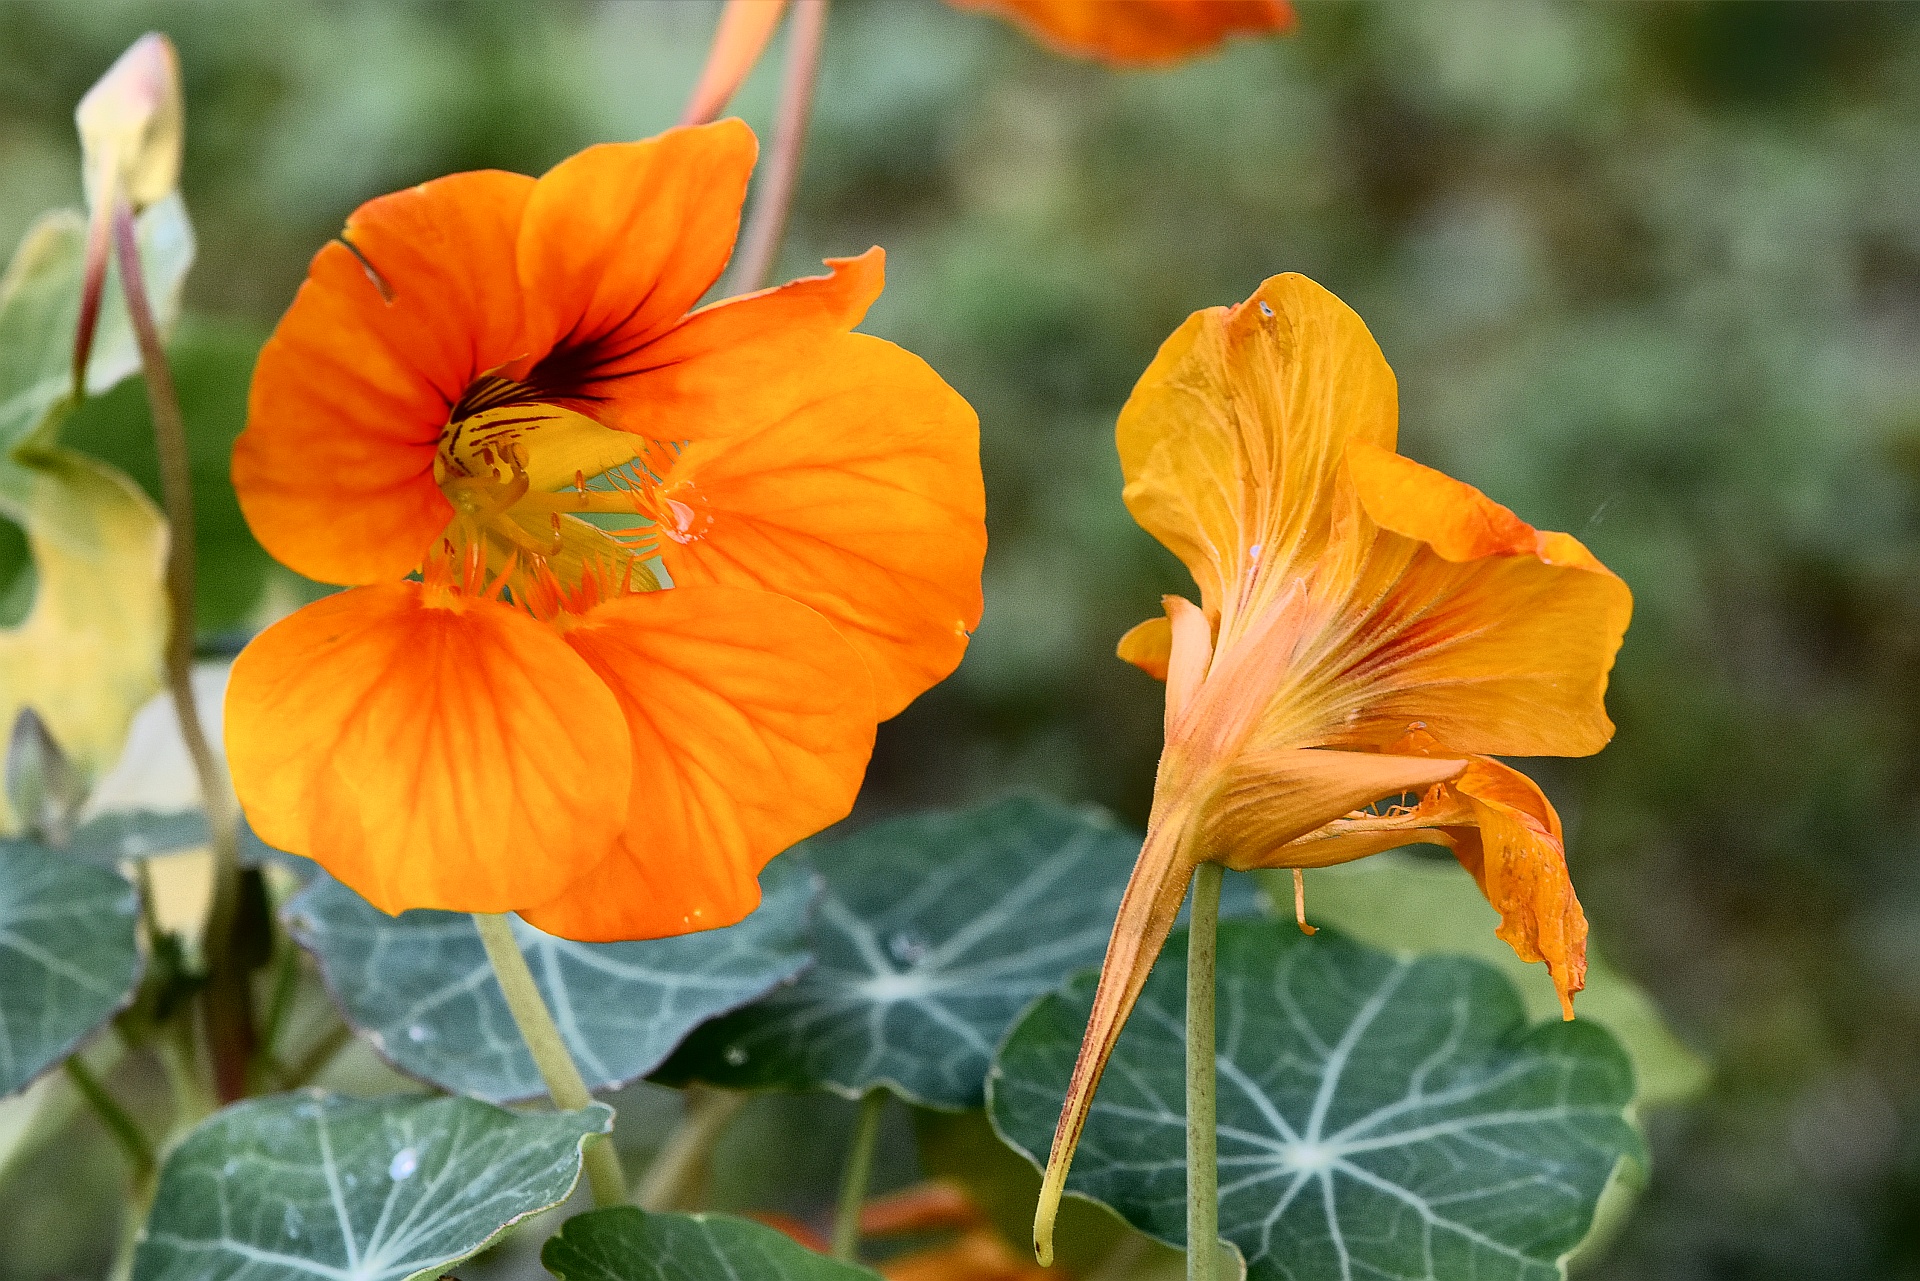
(863, 500)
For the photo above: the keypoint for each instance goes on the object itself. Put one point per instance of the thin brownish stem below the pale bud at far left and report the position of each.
(229, 1002)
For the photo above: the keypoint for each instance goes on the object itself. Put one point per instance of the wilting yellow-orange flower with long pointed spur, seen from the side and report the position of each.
(1366, 629)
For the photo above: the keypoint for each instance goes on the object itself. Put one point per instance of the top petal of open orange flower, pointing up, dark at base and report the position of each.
(619, 245)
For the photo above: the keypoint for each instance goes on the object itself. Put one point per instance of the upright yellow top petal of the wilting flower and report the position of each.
(1234, 437)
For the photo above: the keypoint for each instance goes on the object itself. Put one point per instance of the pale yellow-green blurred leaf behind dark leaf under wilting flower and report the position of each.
(1431, 906)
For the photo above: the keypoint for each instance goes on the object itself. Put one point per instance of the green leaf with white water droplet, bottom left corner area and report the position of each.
(354, 1190)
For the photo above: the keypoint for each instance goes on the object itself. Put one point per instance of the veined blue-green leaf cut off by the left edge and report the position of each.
(70, 957)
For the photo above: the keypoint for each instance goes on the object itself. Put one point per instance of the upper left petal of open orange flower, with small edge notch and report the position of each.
(350, 395)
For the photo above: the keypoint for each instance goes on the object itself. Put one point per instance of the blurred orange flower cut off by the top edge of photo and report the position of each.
(1140, 32)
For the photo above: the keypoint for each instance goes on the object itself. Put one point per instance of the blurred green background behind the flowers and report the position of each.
(1648, 274)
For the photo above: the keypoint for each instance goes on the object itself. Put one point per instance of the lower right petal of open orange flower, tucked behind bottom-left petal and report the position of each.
(752, 723)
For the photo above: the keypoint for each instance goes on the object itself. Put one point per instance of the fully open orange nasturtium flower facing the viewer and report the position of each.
(631, 583)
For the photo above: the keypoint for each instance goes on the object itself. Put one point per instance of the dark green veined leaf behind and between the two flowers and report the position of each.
(932, 934)
